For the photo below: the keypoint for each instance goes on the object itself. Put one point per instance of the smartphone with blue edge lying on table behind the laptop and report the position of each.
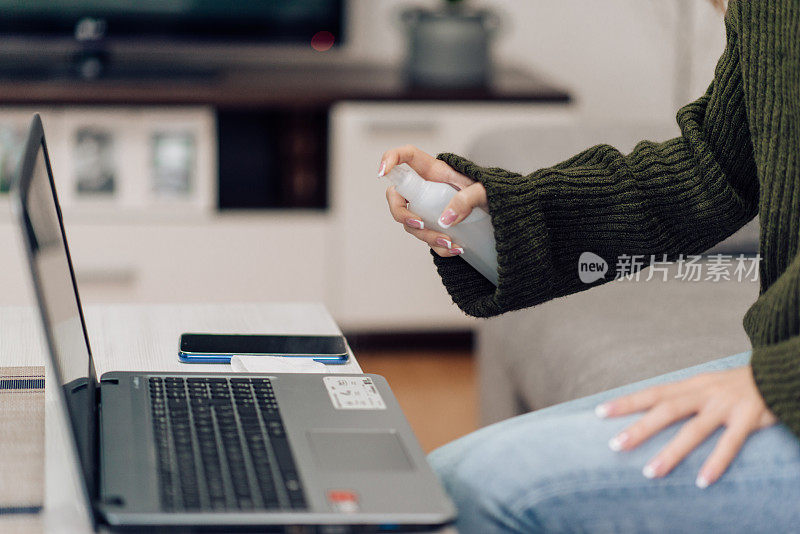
(219, 348)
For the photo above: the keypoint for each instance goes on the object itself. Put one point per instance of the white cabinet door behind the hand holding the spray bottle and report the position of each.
(381, 277)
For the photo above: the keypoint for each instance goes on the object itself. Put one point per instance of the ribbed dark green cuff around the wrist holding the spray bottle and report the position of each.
(524, 267)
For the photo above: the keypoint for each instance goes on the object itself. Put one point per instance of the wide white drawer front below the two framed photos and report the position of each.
(227, 258)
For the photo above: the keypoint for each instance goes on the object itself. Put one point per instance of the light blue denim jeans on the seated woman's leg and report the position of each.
(552, 471)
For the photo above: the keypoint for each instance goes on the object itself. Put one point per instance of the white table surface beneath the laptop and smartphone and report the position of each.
(136, 338)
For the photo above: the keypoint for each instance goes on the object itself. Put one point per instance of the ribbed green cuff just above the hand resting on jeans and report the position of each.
(776, 369)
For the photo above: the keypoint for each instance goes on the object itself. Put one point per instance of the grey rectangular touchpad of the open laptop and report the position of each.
(379, 450)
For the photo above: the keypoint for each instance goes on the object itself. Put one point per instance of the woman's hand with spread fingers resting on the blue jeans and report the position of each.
(724, 398)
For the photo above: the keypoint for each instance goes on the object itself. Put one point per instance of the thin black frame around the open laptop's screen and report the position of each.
(19, 194)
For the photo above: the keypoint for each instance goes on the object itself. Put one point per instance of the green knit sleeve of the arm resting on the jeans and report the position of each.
(773, 324)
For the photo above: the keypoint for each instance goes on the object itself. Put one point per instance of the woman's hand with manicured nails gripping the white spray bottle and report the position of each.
(471, 194)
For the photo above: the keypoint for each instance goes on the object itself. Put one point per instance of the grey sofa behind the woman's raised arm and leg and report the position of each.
(611, 335)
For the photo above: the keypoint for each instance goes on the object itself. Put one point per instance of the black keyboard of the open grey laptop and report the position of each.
(221, 445)
